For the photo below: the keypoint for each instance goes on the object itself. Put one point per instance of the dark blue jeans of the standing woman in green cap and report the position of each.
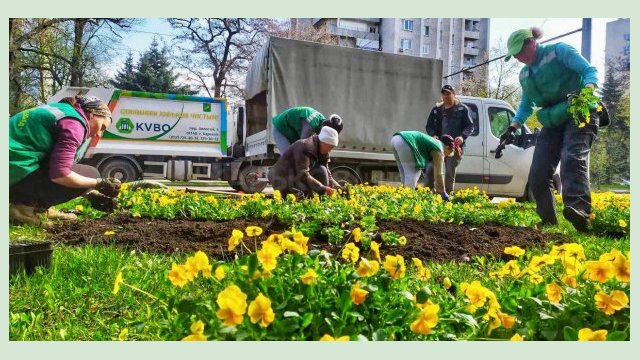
(570, 146)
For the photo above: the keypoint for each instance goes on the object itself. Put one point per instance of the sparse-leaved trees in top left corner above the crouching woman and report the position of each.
(46, 54)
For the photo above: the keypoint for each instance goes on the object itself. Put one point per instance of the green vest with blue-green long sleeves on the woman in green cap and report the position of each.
(557, 71)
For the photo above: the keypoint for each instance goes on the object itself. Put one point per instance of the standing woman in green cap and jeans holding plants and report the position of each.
(551, 74)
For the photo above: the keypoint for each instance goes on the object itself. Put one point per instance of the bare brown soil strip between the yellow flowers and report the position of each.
(425, 241)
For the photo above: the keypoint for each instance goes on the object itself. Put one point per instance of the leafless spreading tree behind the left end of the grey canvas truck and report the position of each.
(218, 50)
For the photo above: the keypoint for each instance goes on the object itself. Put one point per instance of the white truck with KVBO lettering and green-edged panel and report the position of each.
(159, 135)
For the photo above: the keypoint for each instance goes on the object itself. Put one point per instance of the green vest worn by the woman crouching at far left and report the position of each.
(31, 137)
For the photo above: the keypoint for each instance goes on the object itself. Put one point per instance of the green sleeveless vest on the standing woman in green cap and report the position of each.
(548, 86)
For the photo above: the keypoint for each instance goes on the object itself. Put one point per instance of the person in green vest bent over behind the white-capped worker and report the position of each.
(300, 122)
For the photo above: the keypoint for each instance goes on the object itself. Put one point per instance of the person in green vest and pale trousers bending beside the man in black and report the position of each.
(414, 151)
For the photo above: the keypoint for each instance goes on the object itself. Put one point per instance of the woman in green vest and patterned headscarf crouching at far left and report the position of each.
(45, 144)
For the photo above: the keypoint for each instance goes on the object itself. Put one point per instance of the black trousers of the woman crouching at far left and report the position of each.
(39, 191)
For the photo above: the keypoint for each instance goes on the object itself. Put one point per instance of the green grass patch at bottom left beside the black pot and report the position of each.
(73, 299)
